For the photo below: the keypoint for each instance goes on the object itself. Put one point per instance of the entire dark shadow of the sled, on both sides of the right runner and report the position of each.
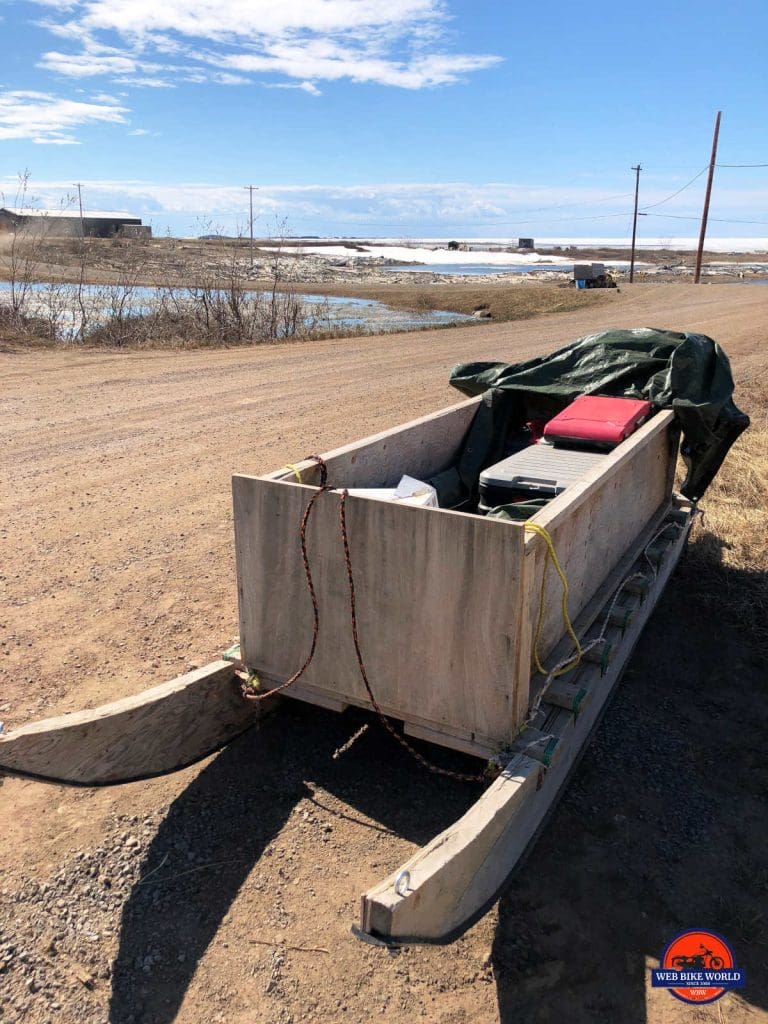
(662, 829)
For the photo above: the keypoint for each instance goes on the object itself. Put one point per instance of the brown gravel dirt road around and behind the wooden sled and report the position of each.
(118, 574)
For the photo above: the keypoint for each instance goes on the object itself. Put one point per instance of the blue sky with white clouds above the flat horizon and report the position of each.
(401, 118)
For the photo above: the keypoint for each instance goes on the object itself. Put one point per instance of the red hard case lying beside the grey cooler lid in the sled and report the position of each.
(598, 421)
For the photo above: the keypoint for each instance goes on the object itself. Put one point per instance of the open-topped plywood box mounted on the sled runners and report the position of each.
(447, 602)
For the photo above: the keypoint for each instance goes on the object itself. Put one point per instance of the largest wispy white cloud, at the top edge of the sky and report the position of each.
(399, 44)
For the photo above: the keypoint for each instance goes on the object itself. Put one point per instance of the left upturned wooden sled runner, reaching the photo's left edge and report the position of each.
(159, 731)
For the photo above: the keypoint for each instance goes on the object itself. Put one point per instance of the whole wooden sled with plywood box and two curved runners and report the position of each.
(448, 604)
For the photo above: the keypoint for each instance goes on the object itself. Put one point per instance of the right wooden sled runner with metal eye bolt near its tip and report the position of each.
(458, 877)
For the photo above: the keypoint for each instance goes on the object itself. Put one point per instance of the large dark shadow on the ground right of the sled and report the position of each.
(663, 828)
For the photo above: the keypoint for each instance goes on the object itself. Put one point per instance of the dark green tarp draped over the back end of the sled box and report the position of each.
(688, 373)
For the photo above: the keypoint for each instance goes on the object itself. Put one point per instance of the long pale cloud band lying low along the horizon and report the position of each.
(390, 208)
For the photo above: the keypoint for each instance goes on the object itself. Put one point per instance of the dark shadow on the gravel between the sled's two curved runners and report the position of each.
(228, 818)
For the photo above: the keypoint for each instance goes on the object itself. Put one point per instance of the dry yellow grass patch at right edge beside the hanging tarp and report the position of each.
(729, 560)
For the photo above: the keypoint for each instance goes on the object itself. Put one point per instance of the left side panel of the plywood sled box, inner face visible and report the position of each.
(421, 449)
